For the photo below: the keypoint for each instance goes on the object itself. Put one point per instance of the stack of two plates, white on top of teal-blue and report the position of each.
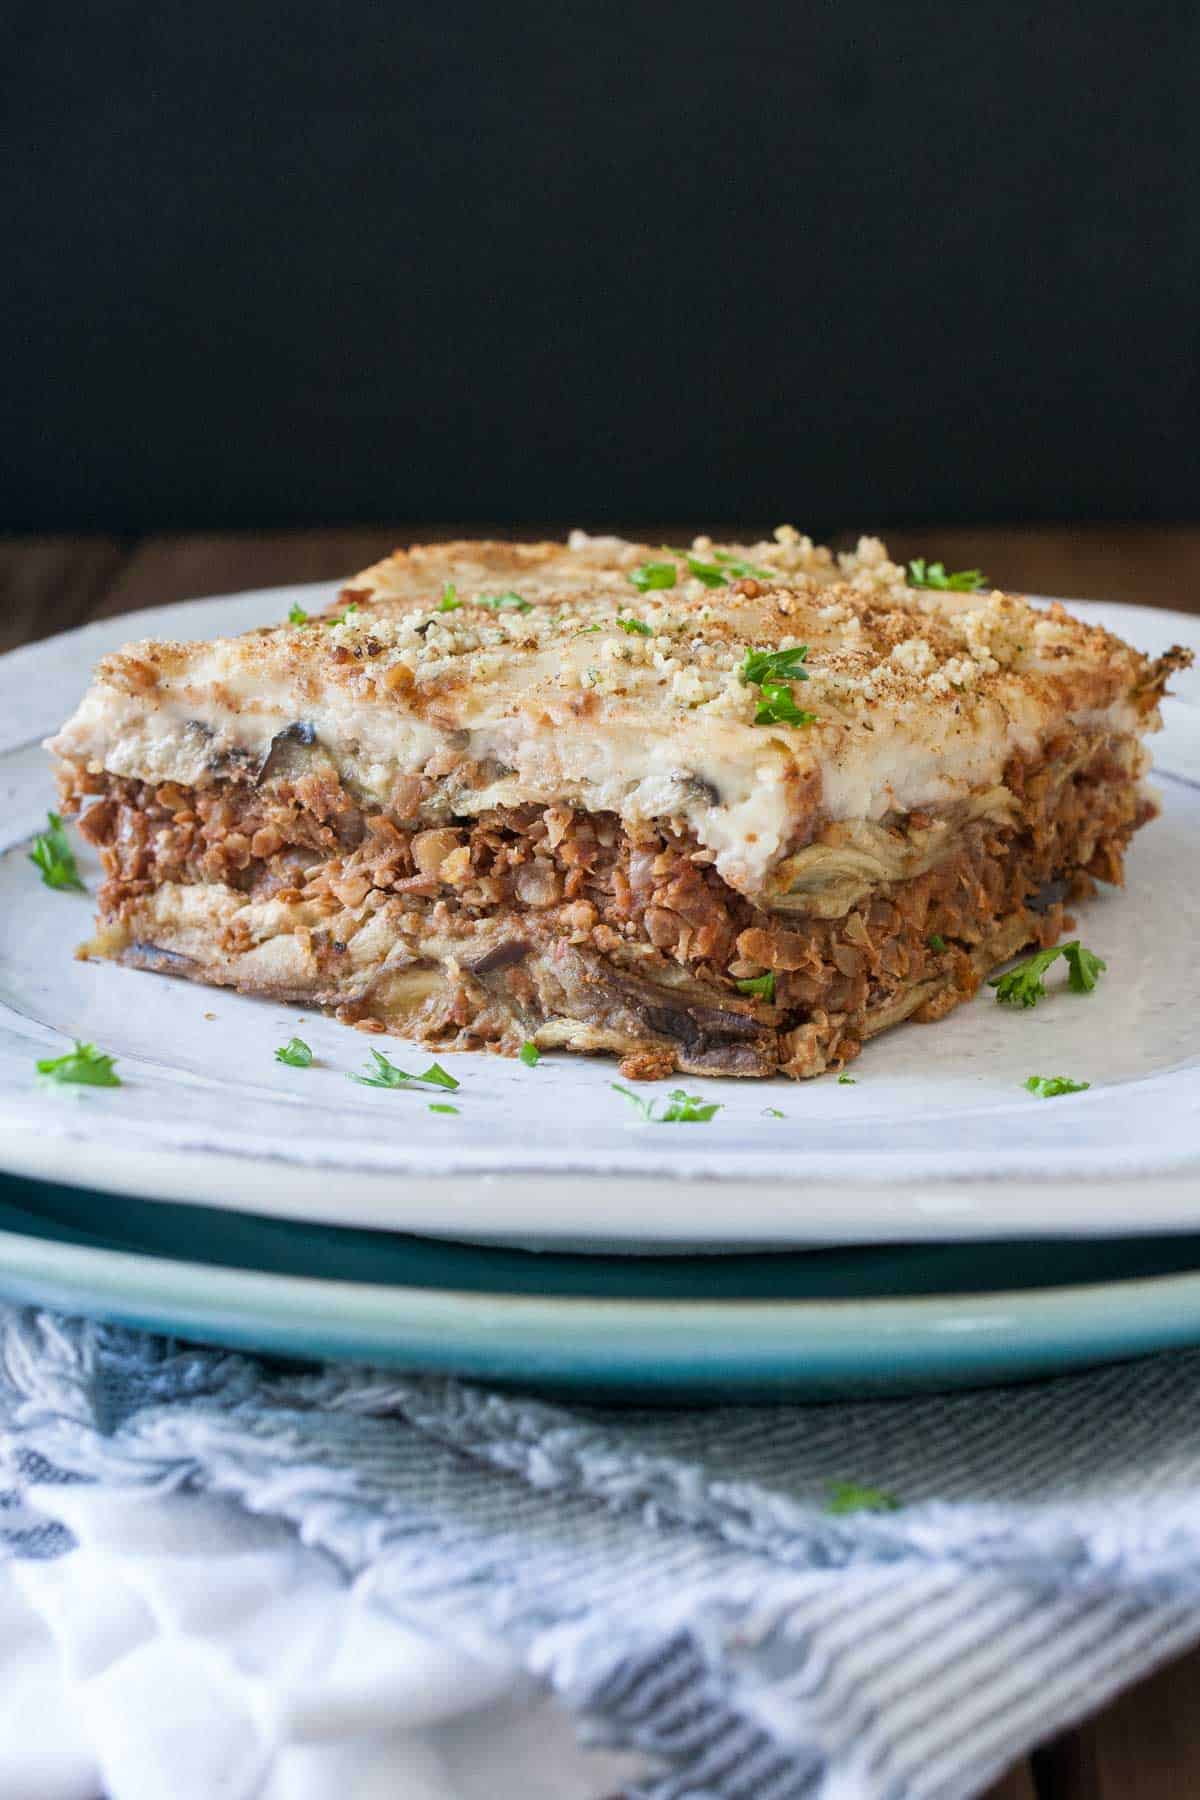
(929, 1225)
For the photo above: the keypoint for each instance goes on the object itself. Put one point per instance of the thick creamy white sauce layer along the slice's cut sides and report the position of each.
(631, 769)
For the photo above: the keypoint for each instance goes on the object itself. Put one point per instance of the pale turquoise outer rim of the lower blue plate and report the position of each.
(650, 1344)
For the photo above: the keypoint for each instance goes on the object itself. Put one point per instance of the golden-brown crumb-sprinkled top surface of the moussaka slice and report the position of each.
(870, 647)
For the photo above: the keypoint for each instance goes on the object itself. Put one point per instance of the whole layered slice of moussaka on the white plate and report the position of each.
(728, 809)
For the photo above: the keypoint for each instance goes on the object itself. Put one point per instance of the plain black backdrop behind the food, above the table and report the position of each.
(836, 264)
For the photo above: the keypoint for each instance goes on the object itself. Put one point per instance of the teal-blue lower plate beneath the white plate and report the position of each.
(762, 1327)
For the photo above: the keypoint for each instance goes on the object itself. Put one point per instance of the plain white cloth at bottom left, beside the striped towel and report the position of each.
(192, 1650)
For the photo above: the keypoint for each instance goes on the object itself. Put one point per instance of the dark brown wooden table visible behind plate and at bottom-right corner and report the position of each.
(1145, 1745)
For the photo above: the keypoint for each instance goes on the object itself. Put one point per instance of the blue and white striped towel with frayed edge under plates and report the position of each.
(863, 1601)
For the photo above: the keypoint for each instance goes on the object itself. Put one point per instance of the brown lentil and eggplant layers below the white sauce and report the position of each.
(568, 928)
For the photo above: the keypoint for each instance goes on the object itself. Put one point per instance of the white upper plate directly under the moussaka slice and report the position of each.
(936, 1137)
